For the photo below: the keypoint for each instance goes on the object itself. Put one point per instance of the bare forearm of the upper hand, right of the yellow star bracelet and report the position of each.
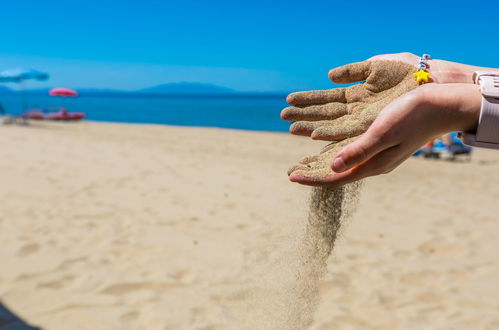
(451, 72)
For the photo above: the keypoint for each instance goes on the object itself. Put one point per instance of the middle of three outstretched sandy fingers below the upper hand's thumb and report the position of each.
(315, 112)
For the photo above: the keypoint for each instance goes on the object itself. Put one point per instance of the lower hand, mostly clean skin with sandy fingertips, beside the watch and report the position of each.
(400, 129)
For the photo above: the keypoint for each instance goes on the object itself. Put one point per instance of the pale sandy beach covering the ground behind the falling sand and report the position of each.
(111, 226)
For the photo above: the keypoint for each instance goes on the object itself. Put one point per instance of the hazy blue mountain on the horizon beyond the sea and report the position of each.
(186, 88)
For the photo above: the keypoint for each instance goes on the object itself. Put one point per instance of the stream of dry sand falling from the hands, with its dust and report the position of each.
(287, 297)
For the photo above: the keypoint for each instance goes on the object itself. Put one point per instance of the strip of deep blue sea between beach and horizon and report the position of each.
(237, 111)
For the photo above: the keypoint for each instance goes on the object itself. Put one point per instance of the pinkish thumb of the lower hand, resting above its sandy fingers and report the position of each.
(358, 152)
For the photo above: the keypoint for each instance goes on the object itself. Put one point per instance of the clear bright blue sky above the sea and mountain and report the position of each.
(250, 46)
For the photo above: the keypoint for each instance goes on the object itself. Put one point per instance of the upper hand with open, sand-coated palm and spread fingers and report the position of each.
(341, 113)
